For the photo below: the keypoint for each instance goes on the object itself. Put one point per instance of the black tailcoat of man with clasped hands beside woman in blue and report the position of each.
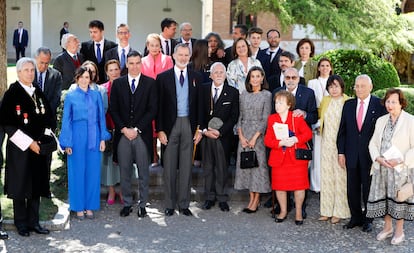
(136, 109)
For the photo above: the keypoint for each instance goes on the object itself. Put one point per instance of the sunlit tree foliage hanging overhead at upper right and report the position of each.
(371, 25)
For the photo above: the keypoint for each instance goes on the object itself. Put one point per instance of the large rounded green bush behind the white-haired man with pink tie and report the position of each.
(351, 63)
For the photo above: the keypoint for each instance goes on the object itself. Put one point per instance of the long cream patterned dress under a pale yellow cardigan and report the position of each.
(334, 201)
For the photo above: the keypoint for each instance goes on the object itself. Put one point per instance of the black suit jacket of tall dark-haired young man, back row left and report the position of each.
(88, 52)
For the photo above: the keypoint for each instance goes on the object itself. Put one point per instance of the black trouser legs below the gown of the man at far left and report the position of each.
(26, 212)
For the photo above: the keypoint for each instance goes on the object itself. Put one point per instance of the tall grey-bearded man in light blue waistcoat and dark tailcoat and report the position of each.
(176, 125)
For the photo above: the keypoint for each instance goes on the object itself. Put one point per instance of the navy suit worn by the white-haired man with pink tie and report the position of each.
(354, 145)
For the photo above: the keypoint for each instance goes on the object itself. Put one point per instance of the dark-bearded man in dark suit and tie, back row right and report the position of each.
(269, 57)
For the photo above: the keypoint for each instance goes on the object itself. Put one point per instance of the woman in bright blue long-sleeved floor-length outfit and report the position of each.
(83, 137)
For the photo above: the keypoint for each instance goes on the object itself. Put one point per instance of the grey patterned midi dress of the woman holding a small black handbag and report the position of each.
(254, 110)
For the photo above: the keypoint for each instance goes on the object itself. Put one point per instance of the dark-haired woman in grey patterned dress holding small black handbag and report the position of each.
(255, 107)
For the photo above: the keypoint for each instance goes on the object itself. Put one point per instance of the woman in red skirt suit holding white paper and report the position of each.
(288, 173)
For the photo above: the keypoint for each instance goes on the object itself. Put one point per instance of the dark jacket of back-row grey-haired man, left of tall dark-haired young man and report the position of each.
(64, 63)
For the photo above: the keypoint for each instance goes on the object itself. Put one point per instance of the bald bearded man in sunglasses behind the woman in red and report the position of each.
(305, 106)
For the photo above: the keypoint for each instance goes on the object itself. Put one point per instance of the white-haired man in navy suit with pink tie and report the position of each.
(355, 131)
